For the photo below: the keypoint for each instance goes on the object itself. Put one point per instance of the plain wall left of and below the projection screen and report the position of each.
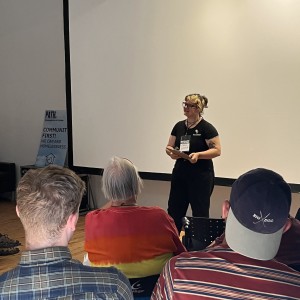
(32, 80)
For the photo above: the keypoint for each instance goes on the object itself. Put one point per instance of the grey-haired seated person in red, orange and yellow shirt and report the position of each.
(138, 240)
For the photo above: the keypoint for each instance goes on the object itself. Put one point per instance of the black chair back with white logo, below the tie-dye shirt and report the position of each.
(142, 287)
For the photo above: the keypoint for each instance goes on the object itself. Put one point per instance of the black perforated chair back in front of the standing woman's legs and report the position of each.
(201, 232)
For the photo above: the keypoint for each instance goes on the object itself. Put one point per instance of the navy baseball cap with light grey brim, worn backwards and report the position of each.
(260, 203)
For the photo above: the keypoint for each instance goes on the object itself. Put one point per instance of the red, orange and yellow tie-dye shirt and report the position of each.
(138, 240)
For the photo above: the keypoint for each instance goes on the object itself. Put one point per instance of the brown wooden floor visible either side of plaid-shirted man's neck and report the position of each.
(11, 225)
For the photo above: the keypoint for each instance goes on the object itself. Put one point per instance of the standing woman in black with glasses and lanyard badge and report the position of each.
(193, 176)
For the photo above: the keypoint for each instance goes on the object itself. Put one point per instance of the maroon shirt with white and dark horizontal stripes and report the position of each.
(221, 273)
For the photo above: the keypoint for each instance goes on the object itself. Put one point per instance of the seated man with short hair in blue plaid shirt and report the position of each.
(48, 201)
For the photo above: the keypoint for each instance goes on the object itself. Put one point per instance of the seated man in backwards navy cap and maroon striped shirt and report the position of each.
(242, 267)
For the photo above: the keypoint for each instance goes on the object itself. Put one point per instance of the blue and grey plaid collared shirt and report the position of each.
(51, 273)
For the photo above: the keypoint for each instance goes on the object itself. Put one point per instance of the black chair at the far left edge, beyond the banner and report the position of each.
(8, 178)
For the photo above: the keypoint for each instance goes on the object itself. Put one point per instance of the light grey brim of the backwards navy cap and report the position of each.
(249, 243)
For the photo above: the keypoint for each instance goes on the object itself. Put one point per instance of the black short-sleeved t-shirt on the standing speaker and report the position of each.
(198, 134)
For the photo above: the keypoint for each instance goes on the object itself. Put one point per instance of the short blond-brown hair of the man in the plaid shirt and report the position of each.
(46, 197)
